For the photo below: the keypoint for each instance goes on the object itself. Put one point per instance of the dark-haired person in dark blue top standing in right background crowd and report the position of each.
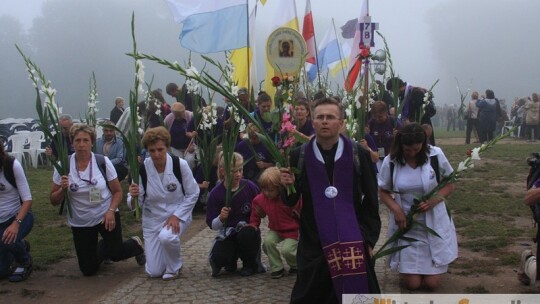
(489, 111)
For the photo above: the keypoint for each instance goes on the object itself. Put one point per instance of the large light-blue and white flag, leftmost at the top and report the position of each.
(211, 26)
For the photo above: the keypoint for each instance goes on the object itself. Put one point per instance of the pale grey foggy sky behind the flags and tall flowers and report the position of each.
(483, 44)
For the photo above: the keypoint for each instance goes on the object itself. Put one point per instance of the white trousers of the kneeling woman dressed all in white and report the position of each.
(162, 250)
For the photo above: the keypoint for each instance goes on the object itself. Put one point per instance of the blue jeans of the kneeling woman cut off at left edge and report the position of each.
(15, 251)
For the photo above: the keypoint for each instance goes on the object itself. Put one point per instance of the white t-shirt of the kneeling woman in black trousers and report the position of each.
(85, 213)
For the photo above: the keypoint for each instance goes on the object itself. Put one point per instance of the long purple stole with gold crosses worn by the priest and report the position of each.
(339, 233)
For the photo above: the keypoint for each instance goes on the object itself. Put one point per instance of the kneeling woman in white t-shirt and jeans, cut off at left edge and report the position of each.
(16, 219)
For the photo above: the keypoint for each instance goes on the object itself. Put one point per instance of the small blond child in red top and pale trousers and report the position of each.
(283, 223)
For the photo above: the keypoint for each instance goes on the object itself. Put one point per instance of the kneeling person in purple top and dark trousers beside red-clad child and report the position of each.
(235, 239)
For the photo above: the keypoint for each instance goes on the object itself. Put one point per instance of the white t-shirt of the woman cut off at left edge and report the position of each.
(9, 195)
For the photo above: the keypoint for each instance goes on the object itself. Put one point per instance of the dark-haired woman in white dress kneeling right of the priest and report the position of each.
(411, 170)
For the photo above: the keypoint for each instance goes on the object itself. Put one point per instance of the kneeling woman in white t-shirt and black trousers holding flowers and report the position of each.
(93, 208)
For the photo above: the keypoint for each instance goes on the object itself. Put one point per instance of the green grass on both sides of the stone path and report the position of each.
(485, 204)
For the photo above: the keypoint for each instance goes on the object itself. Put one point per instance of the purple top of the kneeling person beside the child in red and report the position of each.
(240, 203)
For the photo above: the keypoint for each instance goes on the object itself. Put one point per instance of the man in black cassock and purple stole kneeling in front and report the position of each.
(339, 221)
